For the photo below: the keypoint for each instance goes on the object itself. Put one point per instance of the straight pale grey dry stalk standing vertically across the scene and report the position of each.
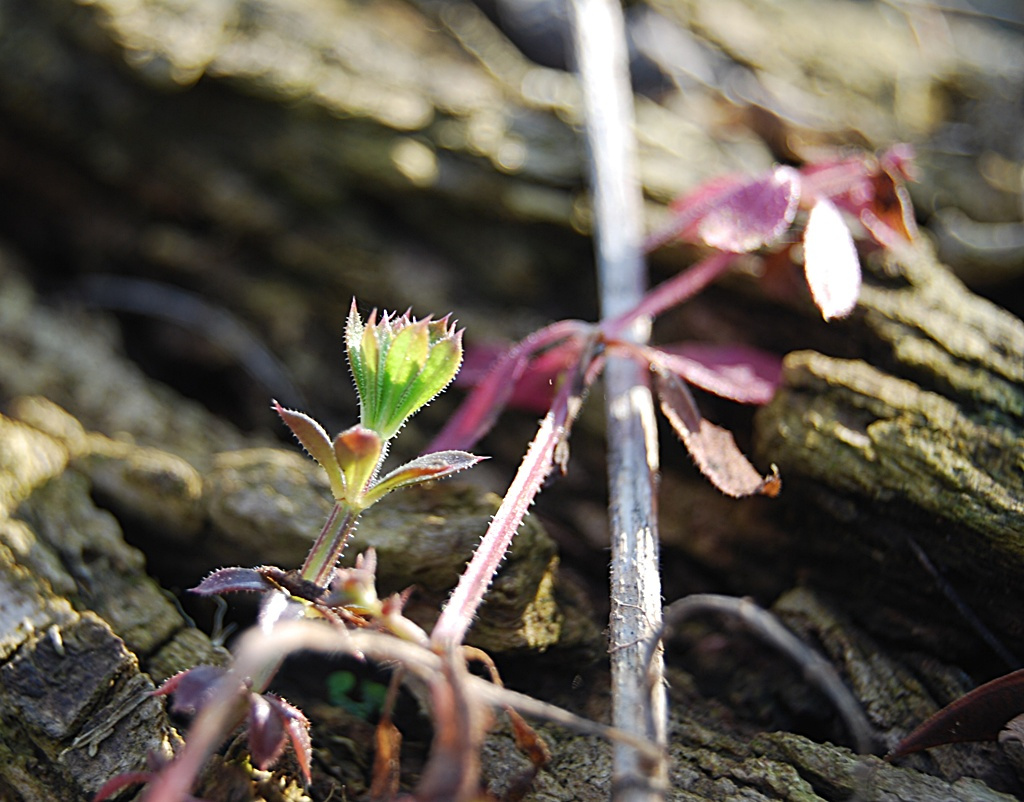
(639, 703)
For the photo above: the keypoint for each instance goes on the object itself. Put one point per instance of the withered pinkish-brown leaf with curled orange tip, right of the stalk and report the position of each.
(713, 449)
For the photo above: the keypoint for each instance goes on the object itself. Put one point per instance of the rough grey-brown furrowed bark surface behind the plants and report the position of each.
(193, 191)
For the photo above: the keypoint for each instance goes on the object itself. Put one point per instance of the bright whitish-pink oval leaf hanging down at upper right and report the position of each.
(831, 263)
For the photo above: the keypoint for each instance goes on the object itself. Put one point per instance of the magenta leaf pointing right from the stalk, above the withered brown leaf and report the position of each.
(735, 372)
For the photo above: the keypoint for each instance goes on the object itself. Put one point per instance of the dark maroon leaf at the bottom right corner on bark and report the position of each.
(980, 715)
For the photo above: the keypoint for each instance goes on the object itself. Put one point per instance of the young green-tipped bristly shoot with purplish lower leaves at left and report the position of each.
(400, 365)
